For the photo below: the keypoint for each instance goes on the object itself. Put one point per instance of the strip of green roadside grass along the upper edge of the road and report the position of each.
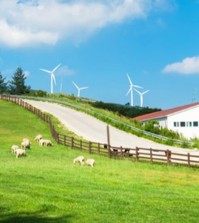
(116, 120)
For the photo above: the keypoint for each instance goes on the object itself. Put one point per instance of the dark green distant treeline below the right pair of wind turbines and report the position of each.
(124, 110)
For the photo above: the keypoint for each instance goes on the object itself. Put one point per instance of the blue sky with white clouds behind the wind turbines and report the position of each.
(98, 42)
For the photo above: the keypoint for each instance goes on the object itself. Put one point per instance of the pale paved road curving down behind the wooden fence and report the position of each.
(94, 130)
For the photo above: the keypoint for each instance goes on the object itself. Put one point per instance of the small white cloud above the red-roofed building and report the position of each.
(189, 65)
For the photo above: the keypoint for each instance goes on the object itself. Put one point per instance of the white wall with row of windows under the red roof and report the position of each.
(185, 122)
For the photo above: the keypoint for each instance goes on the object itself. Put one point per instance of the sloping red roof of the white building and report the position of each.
(164, 113)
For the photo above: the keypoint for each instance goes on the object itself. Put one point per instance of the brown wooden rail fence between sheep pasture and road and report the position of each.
(135, 154)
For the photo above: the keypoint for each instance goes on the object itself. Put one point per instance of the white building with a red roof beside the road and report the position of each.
(183, 119)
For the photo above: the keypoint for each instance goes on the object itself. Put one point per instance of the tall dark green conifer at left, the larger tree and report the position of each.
(17, 84)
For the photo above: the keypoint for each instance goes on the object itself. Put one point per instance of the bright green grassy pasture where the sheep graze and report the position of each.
(46, 186)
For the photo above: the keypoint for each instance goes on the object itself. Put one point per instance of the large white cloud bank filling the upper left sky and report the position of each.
(29, 22)
